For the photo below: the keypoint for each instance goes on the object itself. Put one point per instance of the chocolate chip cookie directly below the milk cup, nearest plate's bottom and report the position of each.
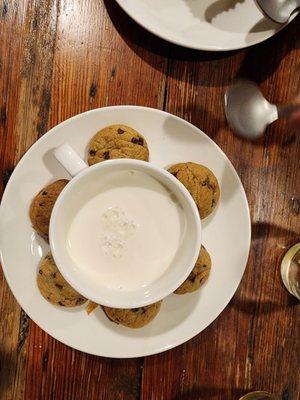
(133, 317)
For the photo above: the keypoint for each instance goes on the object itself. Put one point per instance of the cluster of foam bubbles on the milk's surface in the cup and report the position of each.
(118, 229)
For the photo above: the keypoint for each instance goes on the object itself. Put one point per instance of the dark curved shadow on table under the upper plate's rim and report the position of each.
(259, 61)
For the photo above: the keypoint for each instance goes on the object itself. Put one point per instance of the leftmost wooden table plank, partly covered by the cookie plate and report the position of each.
(27, 58)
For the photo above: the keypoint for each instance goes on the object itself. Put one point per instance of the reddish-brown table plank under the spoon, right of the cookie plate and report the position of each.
(252, 345)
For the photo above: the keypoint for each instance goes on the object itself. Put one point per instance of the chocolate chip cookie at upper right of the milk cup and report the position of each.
(201, 183)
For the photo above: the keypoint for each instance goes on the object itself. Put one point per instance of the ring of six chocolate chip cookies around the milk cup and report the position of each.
(120, 141)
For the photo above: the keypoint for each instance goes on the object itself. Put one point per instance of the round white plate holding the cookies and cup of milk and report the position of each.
(226, 234)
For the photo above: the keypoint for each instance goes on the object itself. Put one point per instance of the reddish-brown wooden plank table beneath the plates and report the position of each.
(63, 57)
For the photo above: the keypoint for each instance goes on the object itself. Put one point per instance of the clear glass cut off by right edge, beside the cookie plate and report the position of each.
(290, 270)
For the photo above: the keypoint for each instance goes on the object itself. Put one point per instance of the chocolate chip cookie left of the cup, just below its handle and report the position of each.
(42, 205)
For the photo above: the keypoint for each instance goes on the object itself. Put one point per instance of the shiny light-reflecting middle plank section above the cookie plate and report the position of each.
(95, 67)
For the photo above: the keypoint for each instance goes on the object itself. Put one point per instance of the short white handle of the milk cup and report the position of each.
(69, 159)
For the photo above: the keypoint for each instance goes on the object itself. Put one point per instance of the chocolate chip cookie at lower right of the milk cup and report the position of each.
(198, 275)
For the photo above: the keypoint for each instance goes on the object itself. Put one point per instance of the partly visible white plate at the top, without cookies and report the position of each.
(215, 25)
